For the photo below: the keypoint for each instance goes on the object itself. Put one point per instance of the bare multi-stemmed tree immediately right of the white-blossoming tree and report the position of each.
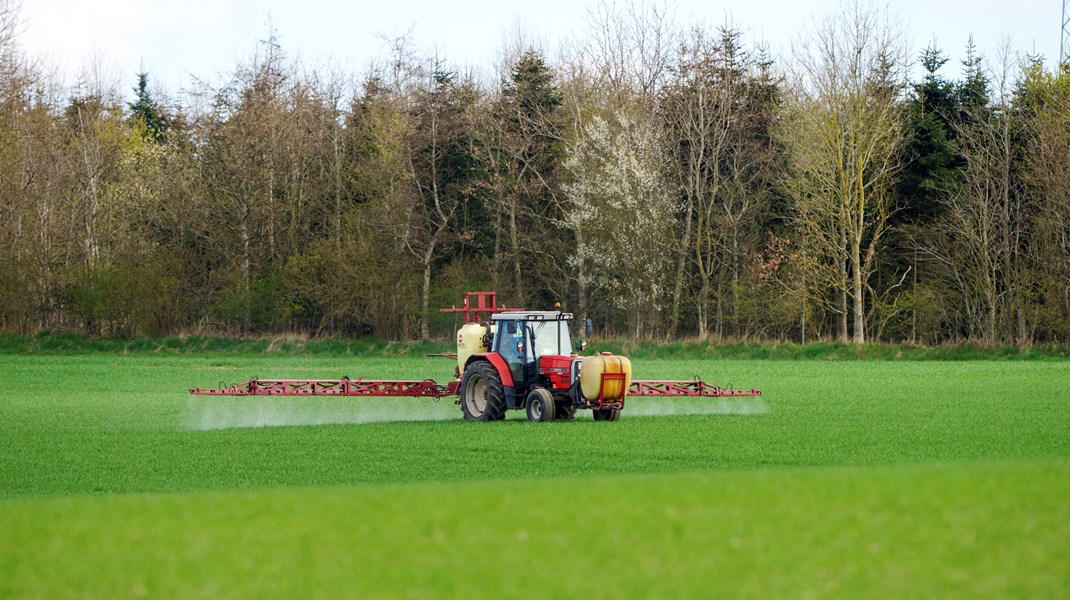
(720, 111)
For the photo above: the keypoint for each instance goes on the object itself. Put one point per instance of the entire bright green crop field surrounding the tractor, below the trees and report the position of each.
(850, 480)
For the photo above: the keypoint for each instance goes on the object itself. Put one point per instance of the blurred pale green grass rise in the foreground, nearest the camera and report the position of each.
(991, 530)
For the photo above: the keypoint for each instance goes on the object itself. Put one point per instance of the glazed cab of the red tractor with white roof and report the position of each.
(523, 339)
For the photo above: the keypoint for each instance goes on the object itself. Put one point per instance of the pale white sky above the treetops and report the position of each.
(177, 40)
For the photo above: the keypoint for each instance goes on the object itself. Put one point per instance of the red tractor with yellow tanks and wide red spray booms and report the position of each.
(509, 359)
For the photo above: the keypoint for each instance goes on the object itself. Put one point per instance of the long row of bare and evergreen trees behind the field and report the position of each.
(662, 180)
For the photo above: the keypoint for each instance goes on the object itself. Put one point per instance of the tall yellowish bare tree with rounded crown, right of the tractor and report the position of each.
(844, 133)
